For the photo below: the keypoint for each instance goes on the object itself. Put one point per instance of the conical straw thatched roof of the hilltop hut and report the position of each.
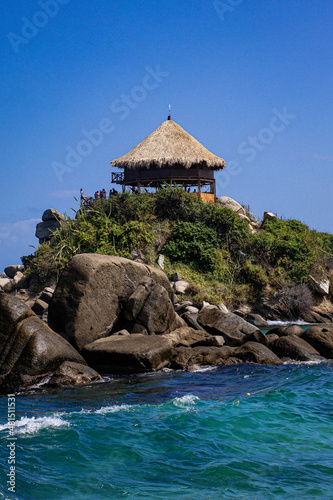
(169, 145)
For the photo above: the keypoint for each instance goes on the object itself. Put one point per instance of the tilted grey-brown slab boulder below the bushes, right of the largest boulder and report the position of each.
(233, 328)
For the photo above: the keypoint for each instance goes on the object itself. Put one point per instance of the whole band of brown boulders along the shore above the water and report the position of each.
(114, 315)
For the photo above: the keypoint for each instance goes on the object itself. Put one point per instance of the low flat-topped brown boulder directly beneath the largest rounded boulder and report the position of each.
(129, 353)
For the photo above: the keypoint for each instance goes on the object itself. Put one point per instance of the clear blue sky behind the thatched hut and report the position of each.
(83, 82)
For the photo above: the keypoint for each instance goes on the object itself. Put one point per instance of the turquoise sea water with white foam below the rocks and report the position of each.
(241, 432)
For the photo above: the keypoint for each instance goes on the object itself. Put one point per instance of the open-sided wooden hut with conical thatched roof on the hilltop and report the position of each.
(170, 155)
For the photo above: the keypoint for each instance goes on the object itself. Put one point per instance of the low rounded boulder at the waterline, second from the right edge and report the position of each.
(294, 348)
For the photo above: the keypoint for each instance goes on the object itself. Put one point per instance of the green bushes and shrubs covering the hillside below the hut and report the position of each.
(210, 246)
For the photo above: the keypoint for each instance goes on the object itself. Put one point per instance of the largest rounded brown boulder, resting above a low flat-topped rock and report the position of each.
(94, 290)
